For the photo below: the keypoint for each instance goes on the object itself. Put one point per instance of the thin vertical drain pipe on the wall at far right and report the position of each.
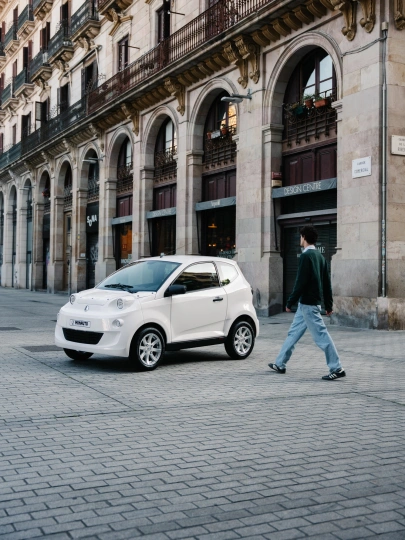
(384, 28)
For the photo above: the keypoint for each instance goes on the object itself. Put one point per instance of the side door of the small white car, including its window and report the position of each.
(200, 313)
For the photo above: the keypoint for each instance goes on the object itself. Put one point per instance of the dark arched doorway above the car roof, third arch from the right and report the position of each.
(162, 220)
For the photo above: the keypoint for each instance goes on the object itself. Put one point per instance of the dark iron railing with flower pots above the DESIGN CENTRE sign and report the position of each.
(302, 123)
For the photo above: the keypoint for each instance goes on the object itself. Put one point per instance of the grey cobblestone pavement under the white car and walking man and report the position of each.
(204, 447)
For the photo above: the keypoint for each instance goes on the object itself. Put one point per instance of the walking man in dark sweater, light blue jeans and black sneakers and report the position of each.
(312, 281)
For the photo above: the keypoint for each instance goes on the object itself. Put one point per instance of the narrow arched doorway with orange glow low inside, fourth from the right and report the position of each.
(123, 222)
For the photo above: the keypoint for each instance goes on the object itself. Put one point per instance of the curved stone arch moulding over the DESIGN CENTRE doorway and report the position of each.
(285, 65)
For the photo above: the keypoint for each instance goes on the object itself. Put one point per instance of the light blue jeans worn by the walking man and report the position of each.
(309, 317)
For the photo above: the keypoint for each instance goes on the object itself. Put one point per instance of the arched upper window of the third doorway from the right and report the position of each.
(165, 150)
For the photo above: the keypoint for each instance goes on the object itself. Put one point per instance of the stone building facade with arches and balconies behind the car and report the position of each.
(116, 143)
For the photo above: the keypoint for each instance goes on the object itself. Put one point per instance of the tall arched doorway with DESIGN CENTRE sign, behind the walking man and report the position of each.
(309, 160)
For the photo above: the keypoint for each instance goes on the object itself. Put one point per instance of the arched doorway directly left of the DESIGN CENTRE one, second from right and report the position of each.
(217, 211)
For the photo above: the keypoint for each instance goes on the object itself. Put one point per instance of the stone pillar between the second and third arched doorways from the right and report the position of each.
(193, 196)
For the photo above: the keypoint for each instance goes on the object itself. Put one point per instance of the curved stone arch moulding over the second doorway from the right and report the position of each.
(209, 92)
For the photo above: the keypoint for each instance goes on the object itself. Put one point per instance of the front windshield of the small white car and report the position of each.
(139, 276)
